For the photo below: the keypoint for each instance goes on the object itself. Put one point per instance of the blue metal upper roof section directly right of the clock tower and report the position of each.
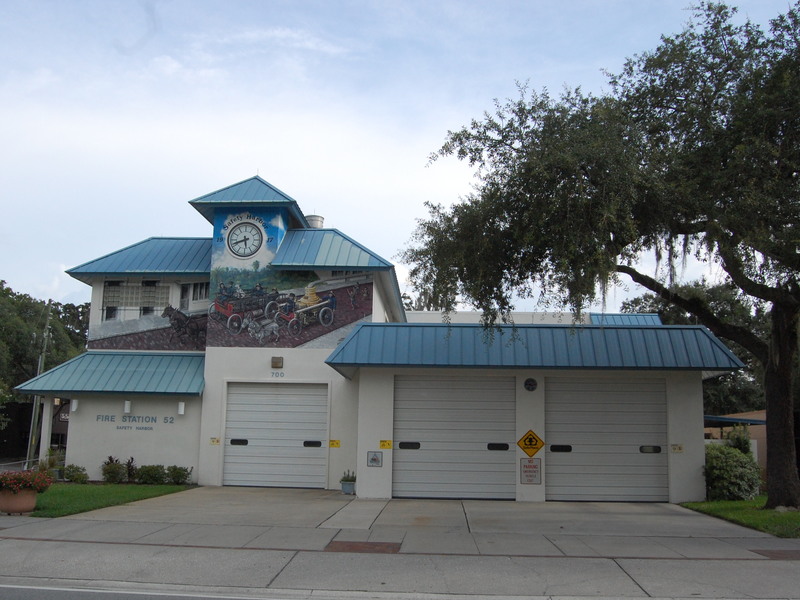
(325, 248)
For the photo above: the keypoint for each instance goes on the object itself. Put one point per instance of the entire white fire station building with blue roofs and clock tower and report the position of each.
(277, 353)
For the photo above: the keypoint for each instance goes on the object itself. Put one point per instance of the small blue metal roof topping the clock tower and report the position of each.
(251, 192)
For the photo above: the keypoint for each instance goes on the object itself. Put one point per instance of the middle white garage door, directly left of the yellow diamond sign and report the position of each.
(454, 437)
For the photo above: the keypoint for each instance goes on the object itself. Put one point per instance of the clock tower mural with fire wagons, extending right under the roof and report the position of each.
(256, 305)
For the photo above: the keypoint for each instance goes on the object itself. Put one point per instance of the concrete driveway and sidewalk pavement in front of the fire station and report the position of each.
(280, 543)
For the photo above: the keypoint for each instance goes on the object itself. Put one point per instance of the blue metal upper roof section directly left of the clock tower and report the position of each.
(153, 256)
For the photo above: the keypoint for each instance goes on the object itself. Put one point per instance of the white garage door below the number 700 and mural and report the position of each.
(276, 435)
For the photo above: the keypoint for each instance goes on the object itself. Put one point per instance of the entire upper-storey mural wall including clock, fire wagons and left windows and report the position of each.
(249, 303)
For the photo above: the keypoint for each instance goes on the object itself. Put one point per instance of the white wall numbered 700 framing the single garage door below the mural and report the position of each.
(252, 365)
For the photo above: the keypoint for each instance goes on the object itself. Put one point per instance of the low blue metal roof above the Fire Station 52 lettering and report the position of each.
(122, 372)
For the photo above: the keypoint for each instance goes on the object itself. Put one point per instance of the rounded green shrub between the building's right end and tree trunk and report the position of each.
(730, 474)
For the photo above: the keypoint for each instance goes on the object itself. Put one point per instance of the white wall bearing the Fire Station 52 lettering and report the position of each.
(153, 433)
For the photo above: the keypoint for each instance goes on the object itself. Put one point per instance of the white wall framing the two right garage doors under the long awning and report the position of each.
(684, 424)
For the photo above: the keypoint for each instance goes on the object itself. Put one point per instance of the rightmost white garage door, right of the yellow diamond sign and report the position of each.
(606, 440)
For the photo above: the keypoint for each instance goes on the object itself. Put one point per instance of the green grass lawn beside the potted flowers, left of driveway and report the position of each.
(63, 499)
